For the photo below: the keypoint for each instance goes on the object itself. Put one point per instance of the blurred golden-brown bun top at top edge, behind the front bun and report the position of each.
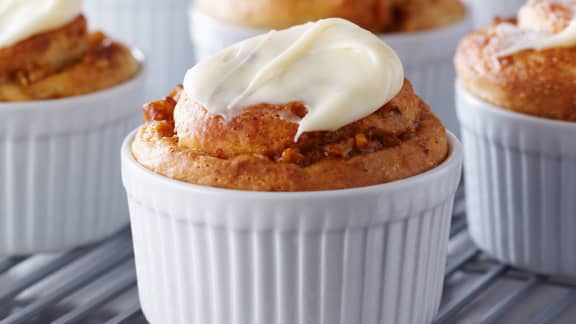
(374, 15)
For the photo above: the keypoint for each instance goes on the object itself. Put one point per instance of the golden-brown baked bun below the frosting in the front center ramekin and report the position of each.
(381, 148)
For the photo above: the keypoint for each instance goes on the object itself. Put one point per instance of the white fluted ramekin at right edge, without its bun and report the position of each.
(521, 186)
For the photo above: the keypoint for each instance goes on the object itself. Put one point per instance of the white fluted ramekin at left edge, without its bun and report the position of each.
(60, 168)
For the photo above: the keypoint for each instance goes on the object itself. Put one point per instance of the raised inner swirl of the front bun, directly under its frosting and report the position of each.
(269, 129)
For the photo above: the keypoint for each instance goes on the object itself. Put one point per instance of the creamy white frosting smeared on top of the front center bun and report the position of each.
(341, 72)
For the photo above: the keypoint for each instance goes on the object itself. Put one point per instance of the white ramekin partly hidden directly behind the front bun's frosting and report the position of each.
(427, 56)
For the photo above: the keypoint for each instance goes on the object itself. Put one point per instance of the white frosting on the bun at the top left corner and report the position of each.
(20, 19)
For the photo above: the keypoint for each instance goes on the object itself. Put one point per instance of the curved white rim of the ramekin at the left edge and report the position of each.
(57, 103)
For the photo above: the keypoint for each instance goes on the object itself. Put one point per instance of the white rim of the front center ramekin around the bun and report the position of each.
(454, 159)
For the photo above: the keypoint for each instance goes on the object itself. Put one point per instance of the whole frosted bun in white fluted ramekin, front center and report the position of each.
(295, 177)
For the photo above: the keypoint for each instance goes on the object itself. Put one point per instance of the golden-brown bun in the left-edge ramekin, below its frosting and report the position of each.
(63, 63)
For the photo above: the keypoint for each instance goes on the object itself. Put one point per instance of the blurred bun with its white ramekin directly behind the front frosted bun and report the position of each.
(425, 33)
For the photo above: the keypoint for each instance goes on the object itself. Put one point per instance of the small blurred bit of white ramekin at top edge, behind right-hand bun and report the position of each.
(486, 10)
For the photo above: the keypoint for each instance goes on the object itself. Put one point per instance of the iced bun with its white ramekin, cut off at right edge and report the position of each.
(517, 108)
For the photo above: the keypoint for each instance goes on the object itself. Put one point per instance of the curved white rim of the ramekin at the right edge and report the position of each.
(491, 108)
